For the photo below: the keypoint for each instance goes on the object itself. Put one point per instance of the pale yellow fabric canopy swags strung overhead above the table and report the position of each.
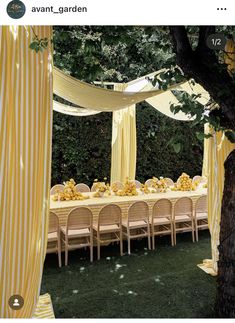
(94, 98)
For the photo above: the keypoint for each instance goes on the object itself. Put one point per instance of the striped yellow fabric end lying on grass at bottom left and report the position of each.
(44, 309)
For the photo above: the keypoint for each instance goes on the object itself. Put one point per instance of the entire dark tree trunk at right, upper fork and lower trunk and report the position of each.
(202, 65)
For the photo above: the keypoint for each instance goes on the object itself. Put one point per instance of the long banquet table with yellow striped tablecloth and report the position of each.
(62, 208)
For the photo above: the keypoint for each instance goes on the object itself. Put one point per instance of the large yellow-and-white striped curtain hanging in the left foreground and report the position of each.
(25, 163)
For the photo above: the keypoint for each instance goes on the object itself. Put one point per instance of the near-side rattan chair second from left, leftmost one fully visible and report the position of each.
(78, 232)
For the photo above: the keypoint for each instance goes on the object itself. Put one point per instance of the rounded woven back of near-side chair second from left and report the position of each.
(79, 218)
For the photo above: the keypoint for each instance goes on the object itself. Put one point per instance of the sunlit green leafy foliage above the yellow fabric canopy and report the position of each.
(111, 53)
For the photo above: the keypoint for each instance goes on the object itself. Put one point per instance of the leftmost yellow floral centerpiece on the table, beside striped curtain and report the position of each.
(69, 193)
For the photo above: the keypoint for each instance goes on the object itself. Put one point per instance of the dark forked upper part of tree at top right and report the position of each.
(202, 65)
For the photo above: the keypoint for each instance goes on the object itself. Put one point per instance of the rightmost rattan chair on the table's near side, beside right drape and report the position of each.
(200, 215)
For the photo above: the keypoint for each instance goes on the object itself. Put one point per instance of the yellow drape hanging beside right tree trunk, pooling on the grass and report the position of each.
(219, 148)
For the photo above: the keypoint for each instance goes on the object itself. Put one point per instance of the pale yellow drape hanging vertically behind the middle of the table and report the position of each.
(123, 161)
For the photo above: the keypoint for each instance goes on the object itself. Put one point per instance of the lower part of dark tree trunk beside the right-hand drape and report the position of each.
(225, 305)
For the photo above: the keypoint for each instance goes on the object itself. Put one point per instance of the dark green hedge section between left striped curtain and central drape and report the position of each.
(81, 147)
